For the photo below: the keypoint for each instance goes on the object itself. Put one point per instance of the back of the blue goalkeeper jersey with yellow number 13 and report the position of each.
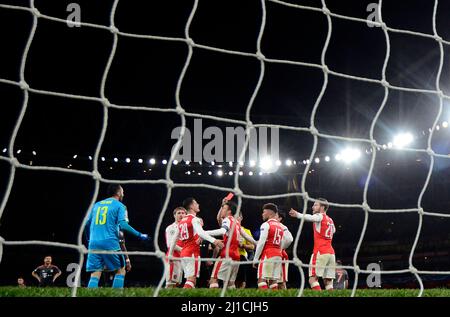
(104, 224)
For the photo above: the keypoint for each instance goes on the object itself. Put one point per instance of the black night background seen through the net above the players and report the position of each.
(50, 206)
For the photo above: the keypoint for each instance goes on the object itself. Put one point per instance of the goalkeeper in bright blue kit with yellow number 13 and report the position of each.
(106, 219)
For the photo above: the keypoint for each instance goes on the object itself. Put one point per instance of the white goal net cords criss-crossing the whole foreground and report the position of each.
(182, 113)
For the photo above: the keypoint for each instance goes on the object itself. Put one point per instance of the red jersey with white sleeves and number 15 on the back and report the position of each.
(271, 237)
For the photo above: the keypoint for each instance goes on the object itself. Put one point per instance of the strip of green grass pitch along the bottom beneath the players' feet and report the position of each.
(146, 292)
